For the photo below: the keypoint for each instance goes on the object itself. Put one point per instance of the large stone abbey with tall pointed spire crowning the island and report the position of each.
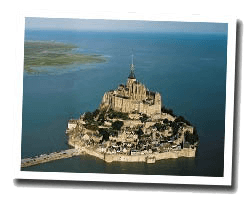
(132, 98)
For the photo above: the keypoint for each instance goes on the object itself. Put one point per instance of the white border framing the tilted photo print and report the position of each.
(18, 98)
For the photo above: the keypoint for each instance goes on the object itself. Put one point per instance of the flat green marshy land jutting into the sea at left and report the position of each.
(40, 54)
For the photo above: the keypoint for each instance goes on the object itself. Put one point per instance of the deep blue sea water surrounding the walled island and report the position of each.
(188, 69)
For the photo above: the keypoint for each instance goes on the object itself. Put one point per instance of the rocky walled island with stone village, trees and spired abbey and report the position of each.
(132, 125)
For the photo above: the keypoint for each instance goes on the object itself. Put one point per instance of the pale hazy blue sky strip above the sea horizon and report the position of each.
(122, 25)
